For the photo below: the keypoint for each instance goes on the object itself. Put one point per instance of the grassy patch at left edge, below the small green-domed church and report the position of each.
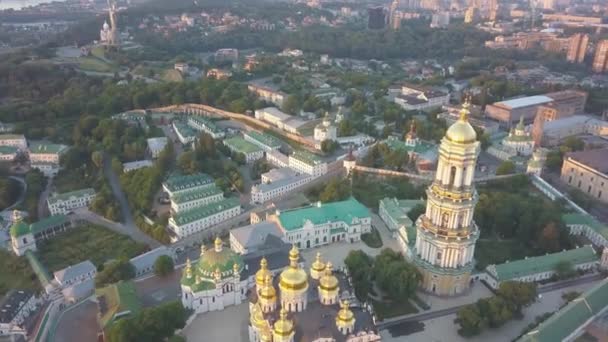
(16, 273)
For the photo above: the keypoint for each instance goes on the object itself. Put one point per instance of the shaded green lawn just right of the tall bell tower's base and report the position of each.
(498, 251)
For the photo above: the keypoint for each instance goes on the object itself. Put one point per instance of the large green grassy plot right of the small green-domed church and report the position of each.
(87, 241)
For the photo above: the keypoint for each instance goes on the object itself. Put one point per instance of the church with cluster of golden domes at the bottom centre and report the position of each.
(308, 306)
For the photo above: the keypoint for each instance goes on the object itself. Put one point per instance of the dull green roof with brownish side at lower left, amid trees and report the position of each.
(117, 298)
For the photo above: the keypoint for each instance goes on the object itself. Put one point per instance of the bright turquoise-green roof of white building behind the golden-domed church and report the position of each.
(321, 213)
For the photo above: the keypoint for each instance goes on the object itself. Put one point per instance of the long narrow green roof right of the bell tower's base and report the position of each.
(539, 264)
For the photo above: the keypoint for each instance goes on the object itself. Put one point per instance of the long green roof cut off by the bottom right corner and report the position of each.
(568, 319)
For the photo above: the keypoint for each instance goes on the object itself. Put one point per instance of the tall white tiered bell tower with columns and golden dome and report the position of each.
(446, 233)
